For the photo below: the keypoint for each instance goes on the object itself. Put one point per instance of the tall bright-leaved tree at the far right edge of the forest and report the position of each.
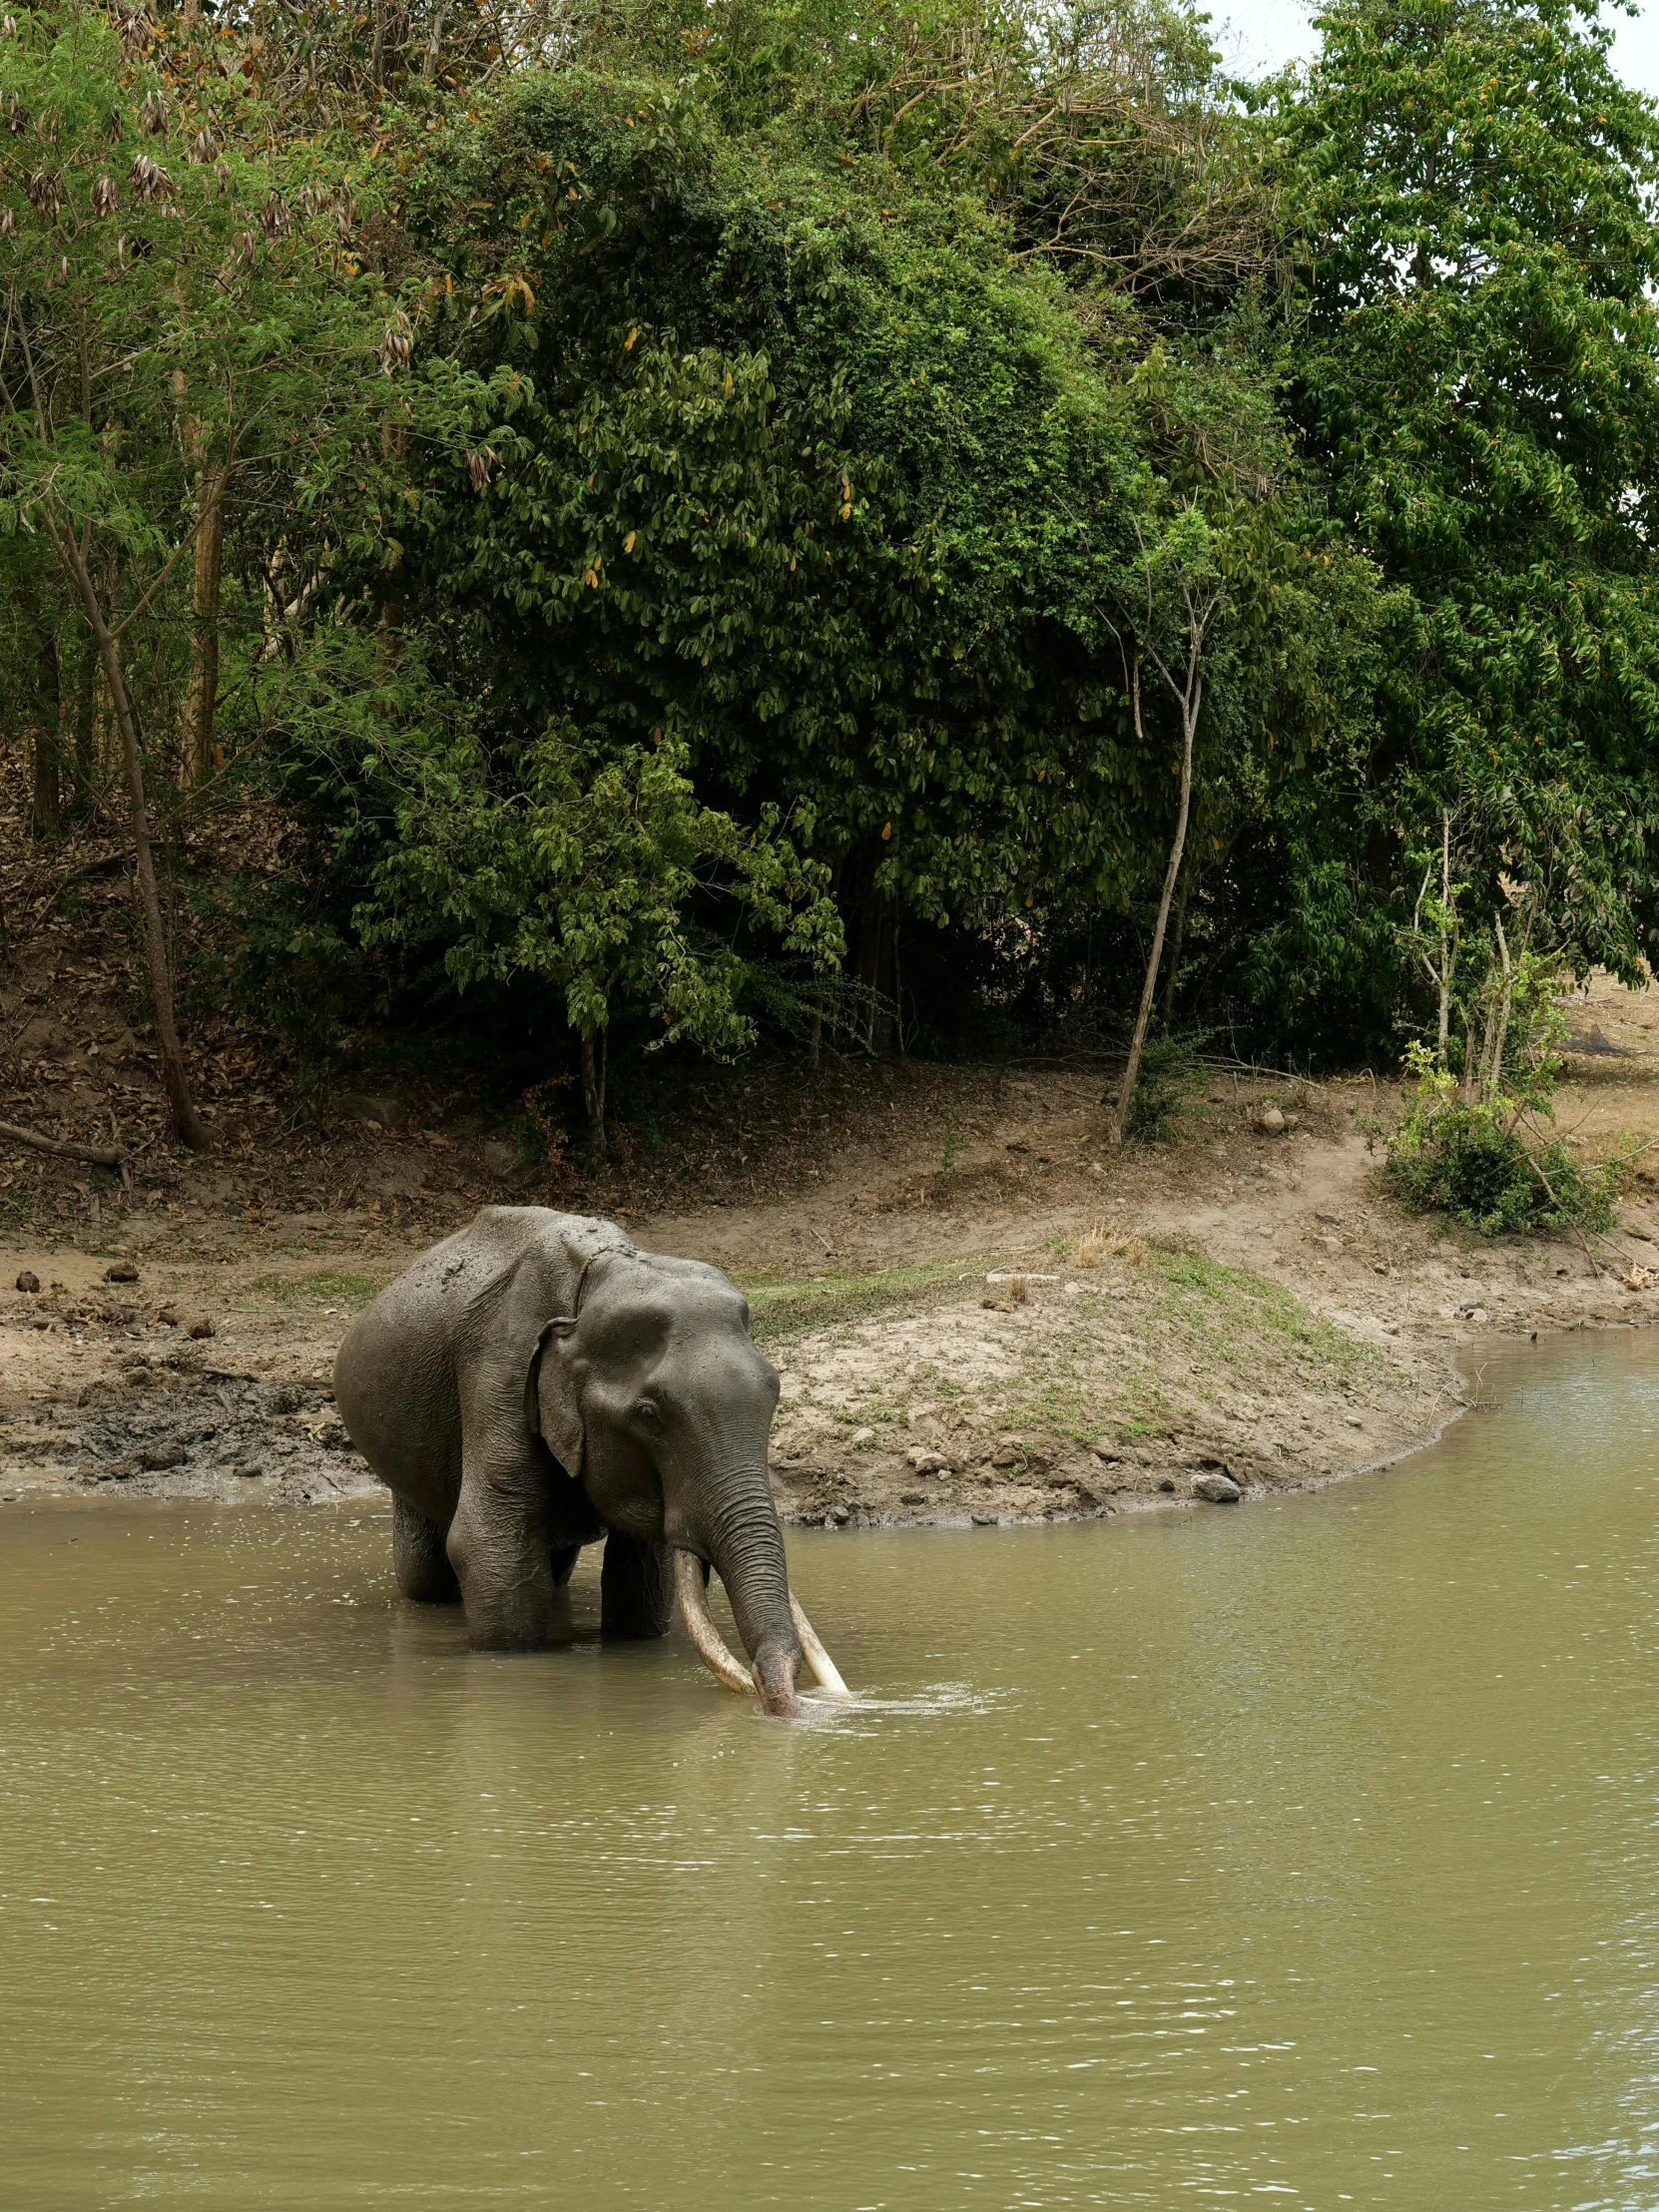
(1477, 373)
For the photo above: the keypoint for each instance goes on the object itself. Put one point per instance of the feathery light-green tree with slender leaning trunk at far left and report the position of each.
(187, 333)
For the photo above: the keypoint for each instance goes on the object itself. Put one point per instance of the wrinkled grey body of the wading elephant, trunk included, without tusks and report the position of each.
(536, 1384)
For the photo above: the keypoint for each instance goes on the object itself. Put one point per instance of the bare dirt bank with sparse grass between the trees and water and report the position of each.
(979, 1311)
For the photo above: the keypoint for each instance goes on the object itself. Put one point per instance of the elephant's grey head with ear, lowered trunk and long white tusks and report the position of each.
(658, 1401)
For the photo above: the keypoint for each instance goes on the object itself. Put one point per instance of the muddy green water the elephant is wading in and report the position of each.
(1302, 1853)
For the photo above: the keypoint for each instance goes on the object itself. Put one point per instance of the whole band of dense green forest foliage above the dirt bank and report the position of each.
(709, 523)
